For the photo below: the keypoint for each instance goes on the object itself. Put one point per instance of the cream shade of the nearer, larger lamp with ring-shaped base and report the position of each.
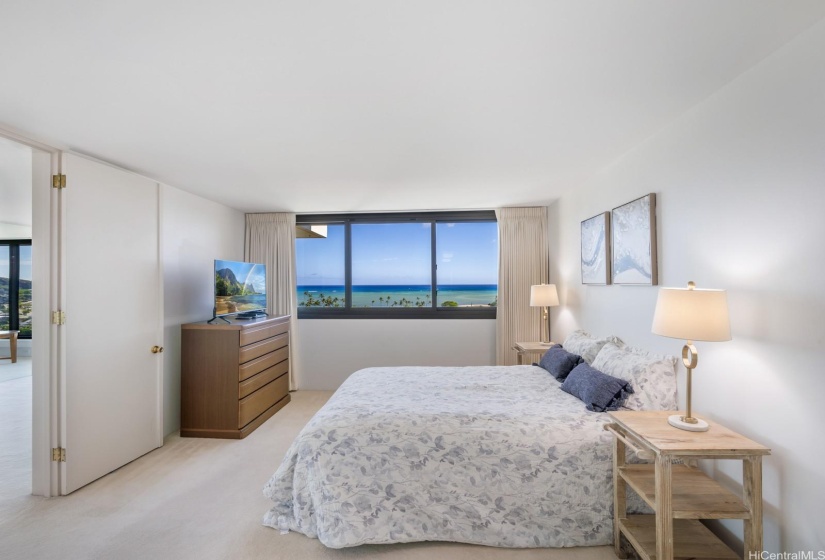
(692, 314)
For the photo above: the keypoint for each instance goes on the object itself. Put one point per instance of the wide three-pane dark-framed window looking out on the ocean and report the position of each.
(433, 265)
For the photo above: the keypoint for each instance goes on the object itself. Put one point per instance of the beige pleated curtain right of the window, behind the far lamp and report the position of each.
(523, 261)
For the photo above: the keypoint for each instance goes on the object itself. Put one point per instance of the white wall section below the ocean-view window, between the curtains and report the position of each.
(331, 349)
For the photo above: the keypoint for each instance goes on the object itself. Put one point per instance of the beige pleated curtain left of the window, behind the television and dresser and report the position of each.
(270, 239)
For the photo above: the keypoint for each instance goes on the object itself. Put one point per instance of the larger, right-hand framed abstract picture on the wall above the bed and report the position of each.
(633, 227)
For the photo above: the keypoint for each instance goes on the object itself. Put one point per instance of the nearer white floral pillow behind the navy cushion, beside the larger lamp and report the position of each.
(652, 376)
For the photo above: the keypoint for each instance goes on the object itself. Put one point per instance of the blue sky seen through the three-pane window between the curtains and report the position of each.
(393, 254)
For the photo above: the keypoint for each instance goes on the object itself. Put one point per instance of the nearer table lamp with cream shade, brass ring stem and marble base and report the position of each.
(691, 314)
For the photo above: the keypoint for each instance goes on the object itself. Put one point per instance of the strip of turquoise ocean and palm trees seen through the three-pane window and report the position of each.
(451, 295)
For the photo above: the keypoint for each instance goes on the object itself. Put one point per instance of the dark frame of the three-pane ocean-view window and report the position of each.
(432, 312)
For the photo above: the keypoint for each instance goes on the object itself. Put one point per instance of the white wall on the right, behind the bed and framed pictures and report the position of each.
(740, 182)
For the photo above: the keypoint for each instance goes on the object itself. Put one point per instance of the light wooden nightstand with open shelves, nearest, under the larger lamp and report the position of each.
(681, 495)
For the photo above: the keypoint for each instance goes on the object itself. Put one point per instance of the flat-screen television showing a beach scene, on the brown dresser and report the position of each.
(239, 287)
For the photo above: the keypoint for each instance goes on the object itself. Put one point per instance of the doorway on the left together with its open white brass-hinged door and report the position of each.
(70, 395)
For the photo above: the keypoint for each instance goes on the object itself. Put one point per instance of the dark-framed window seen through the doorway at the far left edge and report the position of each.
(16, 287)
